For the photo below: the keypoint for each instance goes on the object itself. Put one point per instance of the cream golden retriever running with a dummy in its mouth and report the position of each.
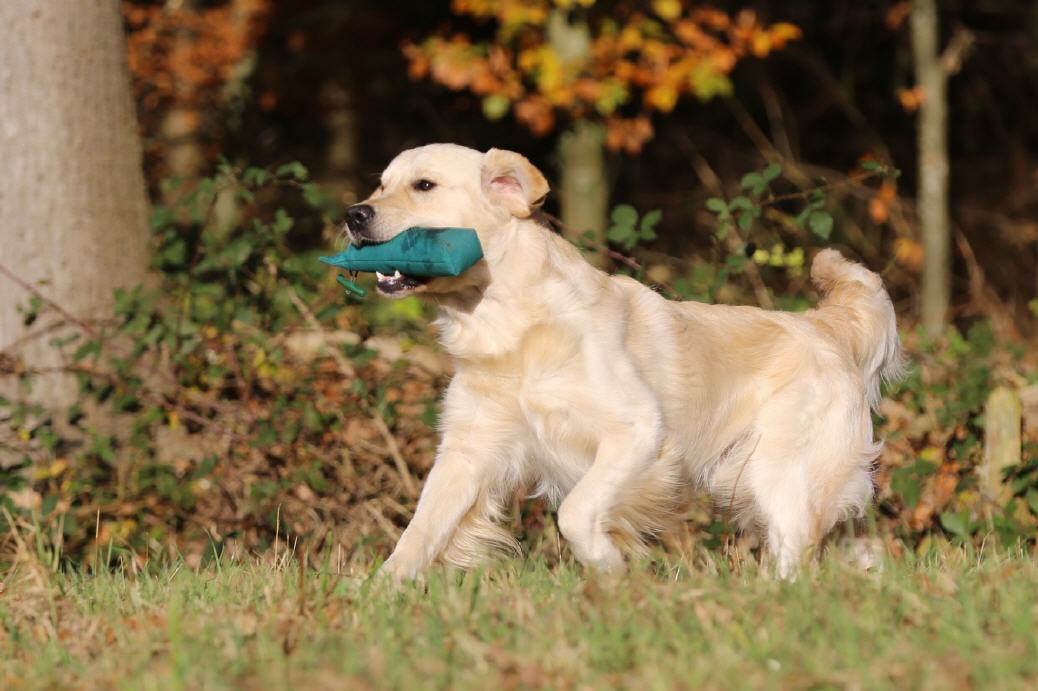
(612, 402)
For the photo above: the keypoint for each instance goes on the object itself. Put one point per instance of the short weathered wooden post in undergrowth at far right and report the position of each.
(1002, 443)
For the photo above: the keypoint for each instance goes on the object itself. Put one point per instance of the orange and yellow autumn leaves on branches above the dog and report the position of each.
(617, 66)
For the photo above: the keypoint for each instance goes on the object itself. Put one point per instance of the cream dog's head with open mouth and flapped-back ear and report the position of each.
(447, 186)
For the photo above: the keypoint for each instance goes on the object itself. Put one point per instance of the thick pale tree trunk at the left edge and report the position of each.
(75, 206)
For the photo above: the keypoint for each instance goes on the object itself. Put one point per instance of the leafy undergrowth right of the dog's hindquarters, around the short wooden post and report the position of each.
(936, 429)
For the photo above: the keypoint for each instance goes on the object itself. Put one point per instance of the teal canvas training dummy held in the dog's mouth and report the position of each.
(412, 257)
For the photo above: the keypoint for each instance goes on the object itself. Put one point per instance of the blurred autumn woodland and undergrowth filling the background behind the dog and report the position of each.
(707, 150)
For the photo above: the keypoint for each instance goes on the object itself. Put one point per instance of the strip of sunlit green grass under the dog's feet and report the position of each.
(942, 623)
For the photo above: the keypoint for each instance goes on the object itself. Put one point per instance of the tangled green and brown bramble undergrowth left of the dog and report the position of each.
(201, 424)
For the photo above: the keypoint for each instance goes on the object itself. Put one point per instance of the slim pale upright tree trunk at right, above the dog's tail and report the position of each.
(933, 197)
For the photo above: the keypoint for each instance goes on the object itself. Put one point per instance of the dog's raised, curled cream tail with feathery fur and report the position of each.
(858, 309)
